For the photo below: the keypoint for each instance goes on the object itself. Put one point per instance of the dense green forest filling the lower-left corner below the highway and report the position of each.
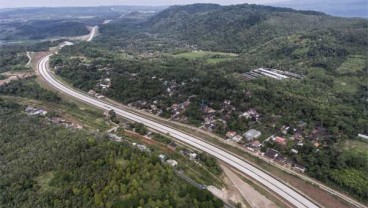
(47, 166)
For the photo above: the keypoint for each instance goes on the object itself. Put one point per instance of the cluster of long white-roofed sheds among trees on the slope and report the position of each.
(272, 73)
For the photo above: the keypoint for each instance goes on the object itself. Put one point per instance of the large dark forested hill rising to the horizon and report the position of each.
(239, 28)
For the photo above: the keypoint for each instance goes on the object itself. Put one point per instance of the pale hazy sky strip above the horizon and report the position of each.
(347, 8)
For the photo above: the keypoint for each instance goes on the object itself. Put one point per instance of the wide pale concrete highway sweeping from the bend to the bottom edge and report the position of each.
(286, 192)
